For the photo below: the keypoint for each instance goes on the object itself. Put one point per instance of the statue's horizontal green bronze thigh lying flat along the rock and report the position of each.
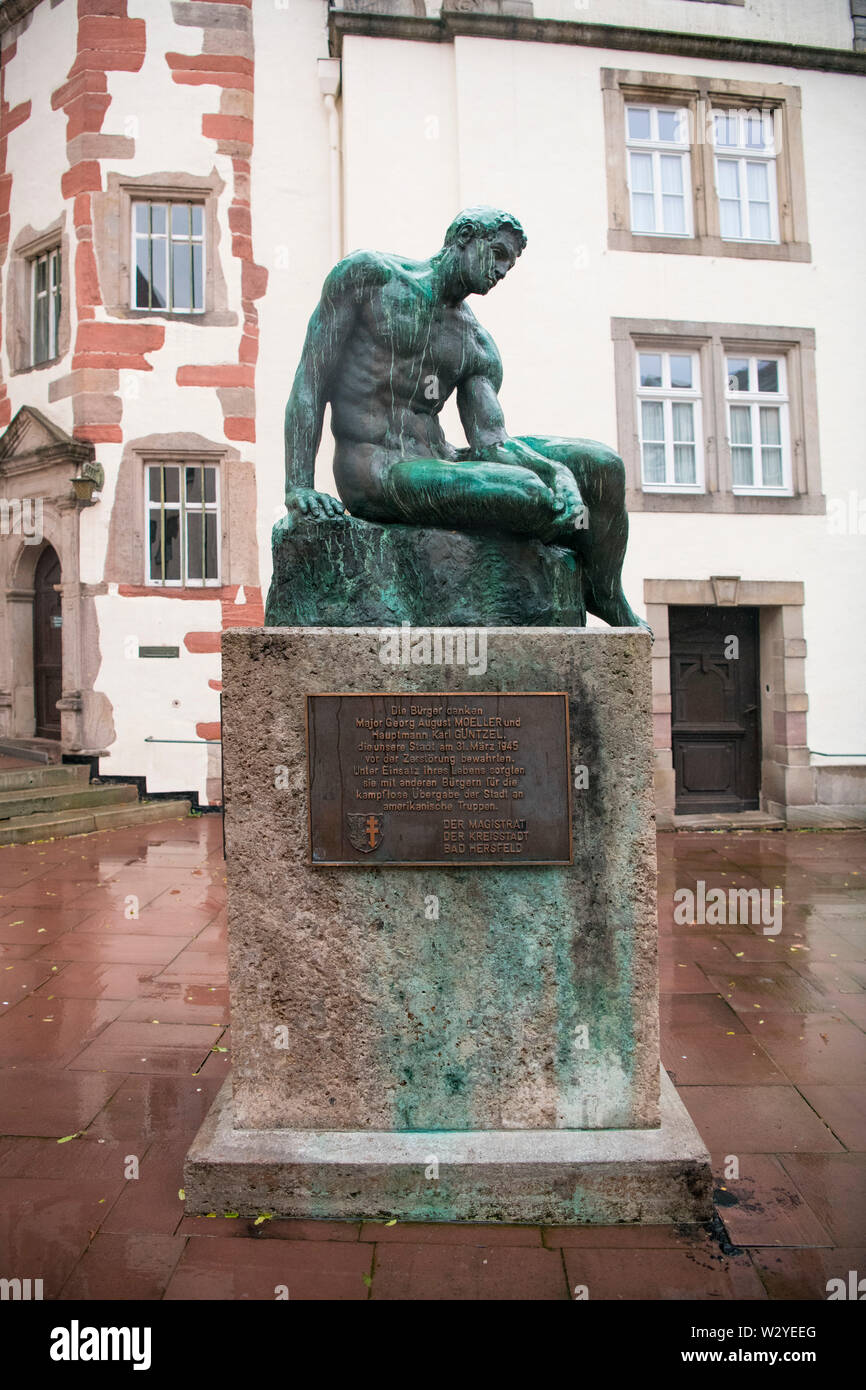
(462, 496)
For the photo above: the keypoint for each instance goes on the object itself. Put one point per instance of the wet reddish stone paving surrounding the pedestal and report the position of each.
(779, 1089)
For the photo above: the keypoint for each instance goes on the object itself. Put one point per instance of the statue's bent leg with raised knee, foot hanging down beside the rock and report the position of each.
(601, 477)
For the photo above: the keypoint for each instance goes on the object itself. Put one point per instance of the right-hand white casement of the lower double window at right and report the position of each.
(758, 425)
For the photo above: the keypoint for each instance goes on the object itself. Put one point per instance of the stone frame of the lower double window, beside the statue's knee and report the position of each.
(715, 343)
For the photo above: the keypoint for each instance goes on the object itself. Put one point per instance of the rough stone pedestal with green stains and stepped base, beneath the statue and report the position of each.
(493, 1057)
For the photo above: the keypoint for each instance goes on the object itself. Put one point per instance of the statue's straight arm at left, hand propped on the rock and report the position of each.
(327, 334)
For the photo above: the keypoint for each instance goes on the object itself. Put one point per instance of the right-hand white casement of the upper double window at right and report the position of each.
(746, 176)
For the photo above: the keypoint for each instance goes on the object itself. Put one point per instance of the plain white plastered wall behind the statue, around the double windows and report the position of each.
(528, 123)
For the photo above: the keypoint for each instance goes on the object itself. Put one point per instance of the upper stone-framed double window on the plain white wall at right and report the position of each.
(704, 166)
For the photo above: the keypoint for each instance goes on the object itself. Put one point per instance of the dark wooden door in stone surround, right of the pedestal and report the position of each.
(715, 708)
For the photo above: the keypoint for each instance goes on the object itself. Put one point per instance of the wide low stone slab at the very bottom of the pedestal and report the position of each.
(525, 1177)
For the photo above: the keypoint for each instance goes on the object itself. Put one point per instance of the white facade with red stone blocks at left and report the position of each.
(163, 98)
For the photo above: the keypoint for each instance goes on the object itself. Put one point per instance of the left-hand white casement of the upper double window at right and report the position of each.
(660, 173)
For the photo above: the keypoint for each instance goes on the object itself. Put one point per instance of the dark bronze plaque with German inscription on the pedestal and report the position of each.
(440, 779)
